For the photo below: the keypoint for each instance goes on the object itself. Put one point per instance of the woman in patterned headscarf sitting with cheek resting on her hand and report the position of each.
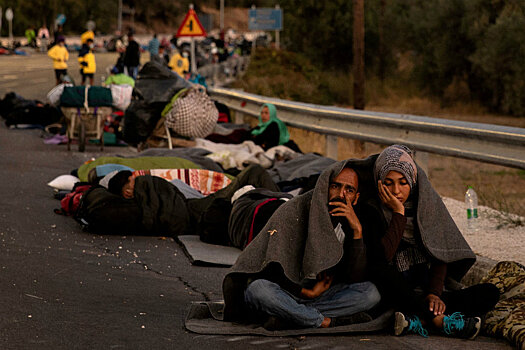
(418, 246)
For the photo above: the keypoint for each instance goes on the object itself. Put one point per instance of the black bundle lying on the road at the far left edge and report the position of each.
(21, 113)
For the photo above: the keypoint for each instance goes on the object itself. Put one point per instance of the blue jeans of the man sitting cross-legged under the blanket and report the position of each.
(339, 300)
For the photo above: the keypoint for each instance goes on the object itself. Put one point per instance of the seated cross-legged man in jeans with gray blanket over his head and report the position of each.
(307, 267)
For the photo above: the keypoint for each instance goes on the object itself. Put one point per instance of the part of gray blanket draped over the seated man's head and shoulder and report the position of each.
(299, 238)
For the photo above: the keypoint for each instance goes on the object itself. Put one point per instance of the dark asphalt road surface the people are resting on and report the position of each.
(62, 288)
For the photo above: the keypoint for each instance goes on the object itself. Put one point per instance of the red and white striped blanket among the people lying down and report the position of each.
(204, 181)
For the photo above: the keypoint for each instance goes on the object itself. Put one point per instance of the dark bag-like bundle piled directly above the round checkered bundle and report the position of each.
(157, 83)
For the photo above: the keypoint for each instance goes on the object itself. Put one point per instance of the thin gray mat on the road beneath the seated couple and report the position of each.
(206, 318)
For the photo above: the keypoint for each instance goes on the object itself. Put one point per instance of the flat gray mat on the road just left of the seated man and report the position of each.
(201, 253)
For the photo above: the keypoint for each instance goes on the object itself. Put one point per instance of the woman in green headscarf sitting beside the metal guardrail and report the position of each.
(270, 131)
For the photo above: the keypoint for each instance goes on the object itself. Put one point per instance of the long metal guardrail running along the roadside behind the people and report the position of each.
(482, 142)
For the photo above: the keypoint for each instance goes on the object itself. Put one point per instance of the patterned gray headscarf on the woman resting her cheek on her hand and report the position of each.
(397, 158)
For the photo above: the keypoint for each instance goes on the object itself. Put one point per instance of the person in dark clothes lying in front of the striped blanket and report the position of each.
(166, 211)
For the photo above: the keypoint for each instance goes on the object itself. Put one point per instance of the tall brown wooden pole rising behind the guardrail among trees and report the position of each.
(359, 54)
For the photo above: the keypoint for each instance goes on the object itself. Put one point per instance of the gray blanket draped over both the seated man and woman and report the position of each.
(300, 240)
